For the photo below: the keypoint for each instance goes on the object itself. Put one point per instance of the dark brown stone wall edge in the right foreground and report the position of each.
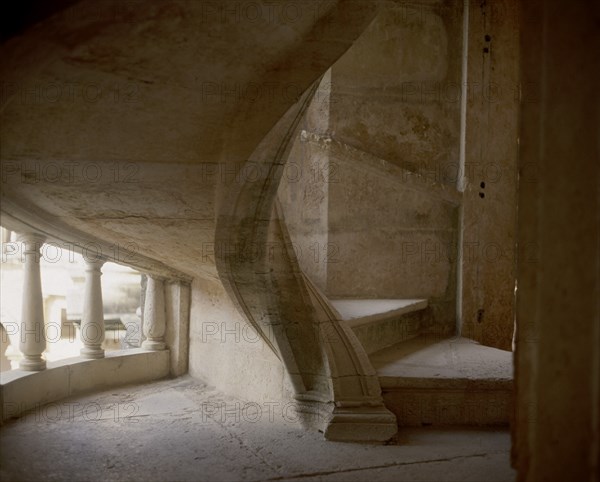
(557, 425)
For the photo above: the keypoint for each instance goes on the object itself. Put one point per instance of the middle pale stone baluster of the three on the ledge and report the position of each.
(92, 319)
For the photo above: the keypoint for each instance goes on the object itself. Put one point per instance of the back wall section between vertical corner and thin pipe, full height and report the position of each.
(396, 96)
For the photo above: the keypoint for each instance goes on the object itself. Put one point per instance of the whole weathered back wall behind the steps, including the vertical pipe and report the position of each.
(390, 131)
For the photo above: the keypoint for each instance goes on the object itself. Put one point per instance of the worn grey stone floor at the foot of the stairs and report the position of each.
(180, 430)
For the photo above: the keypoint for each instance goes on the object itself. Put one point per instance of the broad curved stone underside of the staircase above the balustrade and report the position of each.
(122, 132)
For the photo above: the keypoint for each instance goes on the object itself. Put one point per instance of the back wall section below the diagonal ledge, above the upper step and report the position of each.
(391, 240)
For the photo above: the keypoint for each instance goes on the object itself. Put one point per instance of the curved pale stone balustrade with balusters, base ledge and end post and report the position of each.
(37, 382)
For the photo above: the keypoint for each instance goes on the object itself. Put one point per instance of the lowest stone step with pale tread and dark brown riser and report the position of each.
(452, 381)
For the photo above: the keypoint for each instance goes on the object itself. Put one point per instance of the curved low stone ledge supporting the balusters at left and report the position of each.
(21, 391)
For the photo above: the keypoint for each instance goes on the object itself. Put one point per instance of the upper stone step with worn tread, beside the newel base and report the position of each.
(379, 324)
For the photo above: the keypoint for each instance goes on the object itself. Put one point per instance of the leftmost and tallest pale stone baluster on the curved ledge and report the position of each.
(32, 337)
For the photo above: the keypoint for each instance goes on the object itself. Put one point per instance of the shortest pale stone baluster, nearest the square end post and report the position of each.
(154, 315)
